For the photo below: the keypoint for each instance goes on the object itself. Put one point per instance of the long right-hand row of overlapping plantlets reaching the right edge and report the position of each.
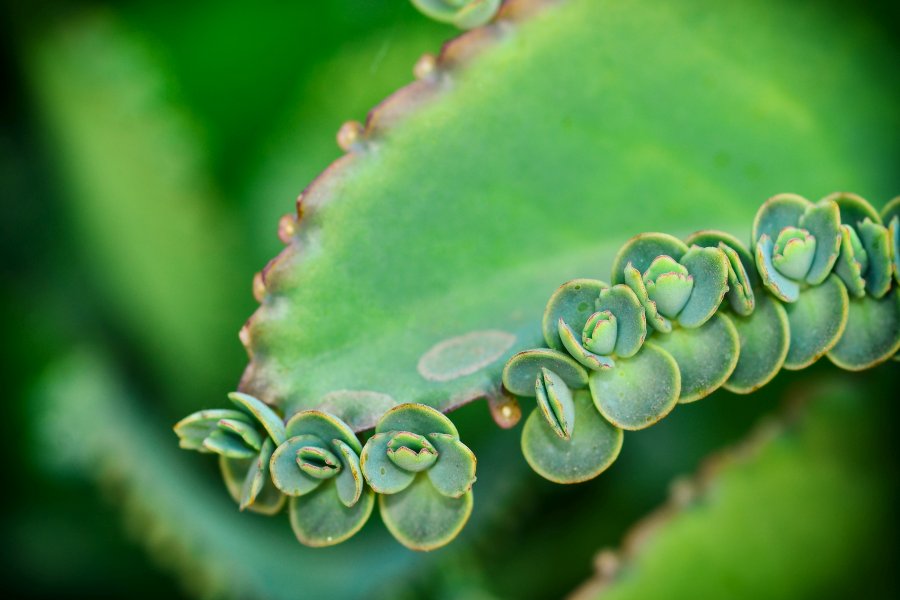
(819, 279)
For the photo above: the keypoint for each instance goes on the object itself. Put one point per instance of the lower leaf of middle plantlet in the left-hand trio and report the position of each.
(321, 519)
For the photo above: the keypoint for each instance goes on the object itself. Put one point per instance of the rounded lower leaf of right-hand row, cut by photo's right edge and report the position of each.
(872, 334)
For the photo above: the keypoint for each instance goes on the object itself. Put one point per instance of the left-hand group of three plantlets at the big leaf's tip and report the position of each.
(415, 462)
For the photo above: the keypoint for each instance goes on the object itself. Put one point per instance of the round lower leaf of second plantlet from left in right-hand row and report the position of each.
(639, 391)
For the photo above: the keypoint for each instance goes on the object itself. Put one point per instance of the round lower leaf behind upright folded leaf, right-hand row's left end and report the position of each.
(593, 446)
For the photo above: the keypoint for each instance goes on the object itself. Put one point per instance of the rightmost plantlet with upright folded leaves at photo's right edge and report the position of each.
(866, 266)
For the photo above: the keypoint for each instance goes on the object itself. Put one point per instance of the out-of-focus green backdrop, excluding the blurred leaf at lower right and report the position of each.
(147, 150)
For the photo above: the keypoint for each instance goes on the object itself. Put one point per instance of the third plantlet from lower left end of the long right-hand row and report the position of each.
(681, 288)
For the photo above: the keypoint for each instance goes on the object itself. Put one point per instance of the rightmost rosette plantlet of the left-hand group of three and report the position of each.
(423, 474)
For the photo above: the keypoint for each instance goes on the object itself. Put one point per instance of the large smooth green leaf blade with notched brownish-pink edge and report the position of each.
(423, 259)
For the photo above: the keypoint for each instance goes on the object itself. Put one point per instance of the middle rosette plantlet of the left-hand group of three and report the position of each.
(318, 466)
